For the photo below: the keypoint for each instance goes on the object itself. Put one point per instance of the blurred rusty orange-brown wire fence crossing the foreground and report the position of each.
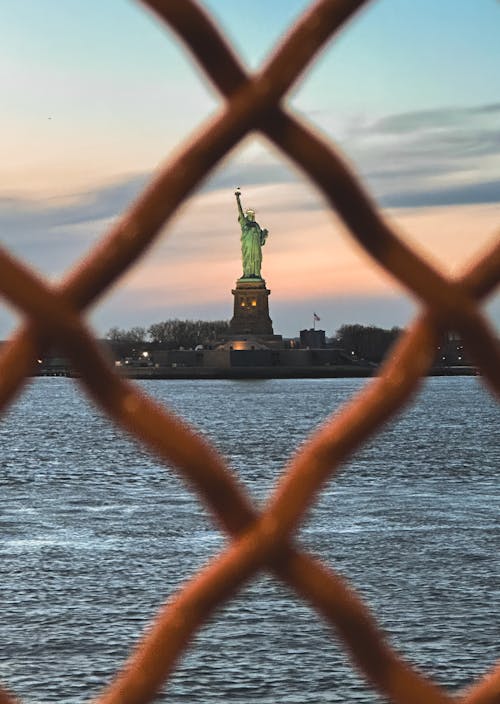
(258, 540)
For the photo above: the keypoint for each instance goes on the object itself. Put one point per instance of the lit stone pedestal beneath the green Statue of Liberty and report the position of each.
(251, 308)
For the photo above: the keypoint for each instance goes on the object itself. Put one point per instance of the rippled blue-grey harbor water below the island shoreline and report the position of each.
(95, 535)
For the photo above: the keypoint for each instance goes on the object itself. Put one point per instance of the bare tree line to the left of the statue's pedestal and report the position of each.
(171, 334)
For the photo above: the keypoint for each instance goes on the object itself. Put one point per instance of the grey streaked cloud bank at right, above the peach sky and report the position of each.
(434, 157)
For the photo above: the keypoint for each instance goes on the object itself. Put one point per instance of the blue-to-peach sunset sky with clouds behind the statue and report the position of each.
(98, 95)
